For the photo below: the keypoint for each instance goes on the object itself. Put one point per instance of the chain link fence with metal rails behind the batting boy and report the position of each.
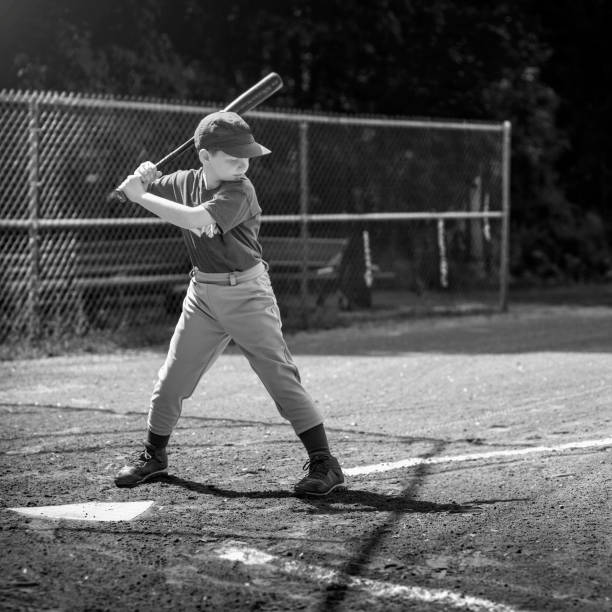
(359, 213)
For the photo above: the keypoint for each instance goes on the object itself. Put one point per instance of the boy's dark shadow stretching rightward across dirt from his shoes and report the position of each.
(338, 502)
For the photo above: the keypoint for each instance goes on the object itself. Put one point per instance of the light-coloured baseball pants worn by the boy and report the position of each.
(246, 312)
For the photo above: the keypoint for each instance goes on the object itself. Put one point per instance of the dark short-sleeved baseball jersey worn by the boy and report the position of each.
(234, 207)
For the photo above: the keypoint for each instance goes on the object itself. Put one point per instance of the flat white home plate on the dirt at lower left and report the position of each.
(90, 511)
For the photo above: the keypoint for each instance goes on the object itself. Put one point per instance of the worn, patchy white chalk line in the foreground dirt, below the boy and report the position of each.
(235, 551)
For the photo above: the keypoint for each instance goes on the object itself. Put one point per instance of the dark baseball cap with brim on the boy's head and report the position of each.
(229, 133)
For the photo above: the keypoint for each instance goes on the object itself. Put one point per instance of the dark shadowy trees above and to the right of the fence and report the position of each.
(542, 65)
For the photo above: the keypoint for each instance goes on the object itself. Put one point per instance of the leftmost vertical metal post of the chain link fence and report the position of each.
(33, 214)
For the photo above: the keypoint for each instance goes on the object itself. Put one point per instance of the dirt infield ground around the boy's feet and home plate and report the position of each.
(478, 453)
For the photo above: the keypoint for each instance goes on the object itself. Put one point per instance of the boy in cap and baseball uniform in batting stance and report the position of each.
(229, 297)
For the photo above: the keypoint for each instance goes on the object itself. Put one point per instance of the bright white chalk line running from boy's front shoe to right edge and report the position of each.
(515, 452)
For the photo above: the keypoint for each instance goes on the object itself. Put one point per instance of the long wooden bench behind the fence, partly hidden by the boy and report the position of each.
(104, 274)
